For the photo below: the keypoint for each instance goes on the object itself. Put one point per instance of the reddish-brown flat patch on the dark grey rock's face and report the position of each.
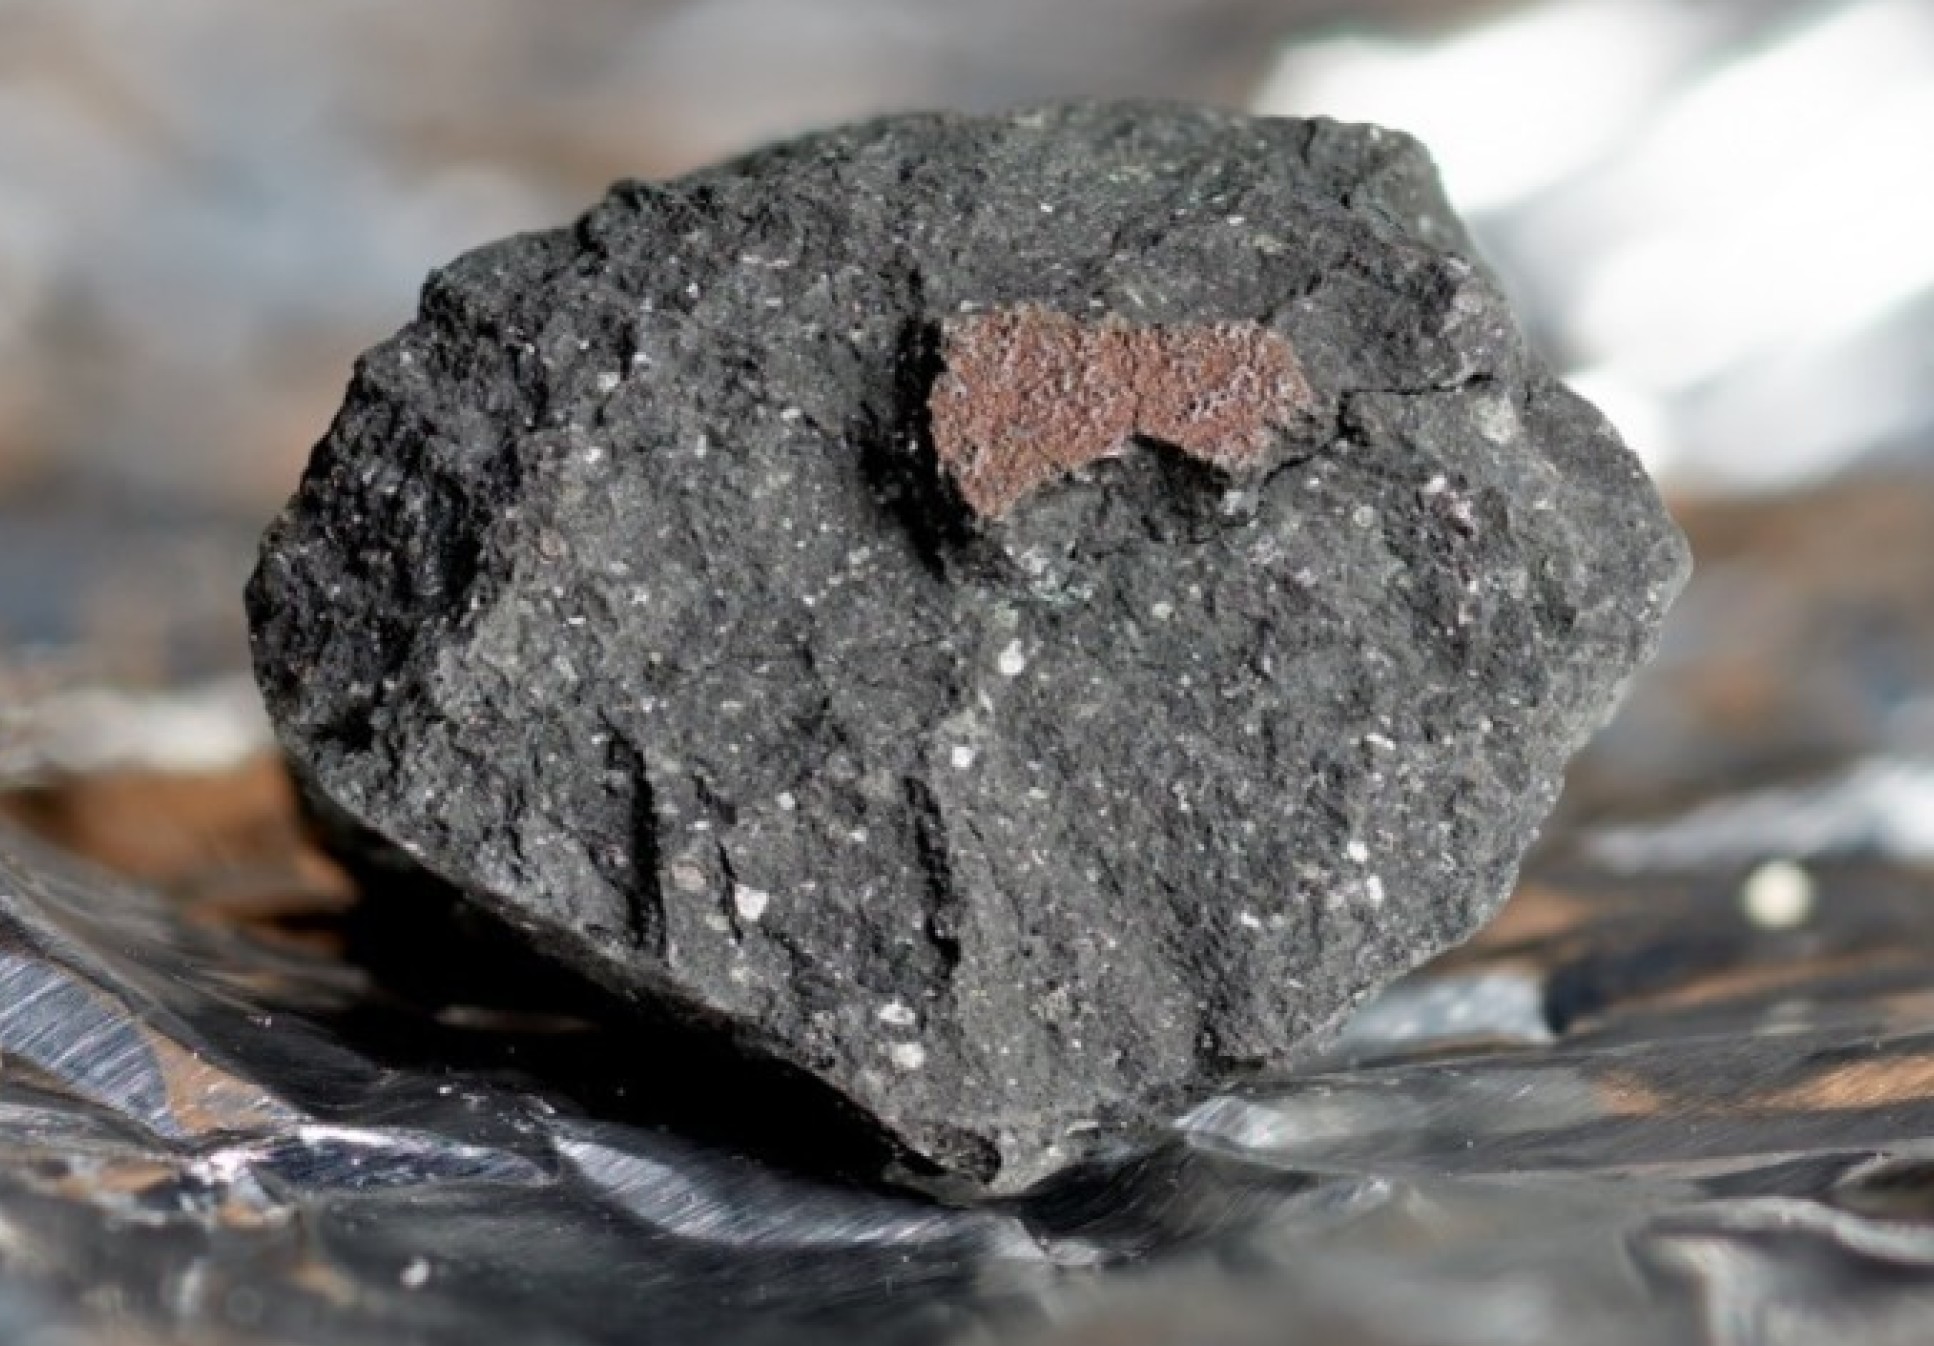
(1032, 395)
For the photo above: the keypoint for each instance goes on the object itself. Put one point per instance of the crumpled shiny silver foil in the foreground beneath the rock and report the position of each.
(1653, 1121)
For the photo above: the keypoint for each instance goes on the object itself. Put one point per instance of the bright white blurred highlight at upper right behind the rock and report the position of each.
(1718, 225)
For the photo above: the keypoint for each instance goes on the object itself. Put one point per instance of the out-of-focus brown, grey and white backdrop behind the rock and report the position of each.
(1718, 219)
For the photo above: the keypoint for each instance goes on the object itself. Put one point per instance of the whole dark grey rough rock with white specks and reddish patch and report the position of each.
(693, 589)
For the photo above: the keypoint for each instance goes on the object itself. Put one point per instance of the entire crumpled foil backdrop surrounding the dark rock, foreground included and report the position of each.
(1684, 1090)
